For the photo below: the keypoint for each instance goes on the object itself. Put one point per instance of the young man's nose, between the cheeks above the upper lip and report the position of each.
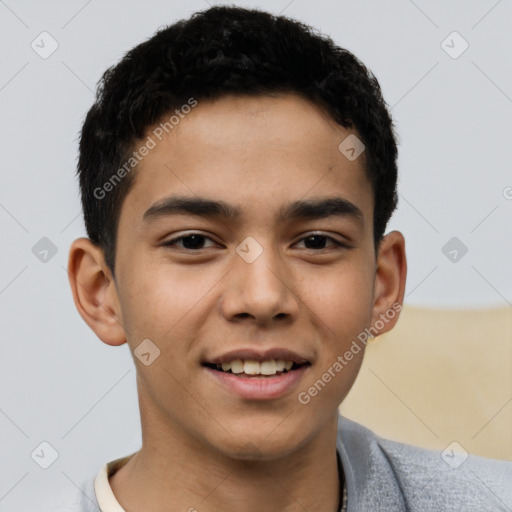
(262, 290)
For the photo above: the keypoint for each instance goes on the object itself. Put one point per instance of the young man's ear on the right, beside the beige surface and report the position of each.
(389, 288)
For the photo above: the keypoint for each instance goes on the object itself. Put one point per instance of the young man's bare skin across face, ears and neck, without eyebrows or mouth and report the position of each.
(204, 447)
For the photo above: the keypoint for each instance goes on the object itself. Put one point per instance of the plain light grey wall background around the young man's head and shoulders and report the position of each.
(60, 384)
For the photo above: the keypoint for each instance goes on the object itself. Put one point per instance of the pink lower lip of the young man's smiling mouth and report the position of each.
(259, 388)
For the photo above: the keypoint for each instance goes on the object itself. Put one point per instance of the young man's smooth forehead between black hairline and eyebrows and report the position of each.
(256, 153)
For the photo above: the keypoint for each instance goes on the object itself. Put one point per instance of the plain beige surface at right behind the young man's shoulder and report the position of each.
(440, 376)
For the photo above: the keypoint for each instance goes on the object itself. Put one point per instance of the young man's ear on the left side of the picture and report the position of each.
(94, 291)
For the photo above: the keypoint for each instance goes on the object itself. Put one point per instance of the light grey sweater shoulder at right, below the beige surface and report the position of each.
(422, 479)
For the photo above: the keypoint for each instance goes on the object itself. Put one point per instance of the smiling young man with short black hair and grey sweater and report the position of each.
(237, 173)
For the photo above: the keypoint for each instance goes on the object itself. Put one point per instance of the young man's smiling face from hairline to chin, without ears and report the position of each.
(259, 290)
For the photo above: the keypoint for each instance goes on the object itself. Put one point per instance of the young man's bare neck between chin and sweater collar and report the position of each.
(171, 473)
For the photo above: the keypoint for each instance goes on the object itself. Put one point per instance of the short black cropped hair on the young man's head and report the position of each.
(219, 51)
